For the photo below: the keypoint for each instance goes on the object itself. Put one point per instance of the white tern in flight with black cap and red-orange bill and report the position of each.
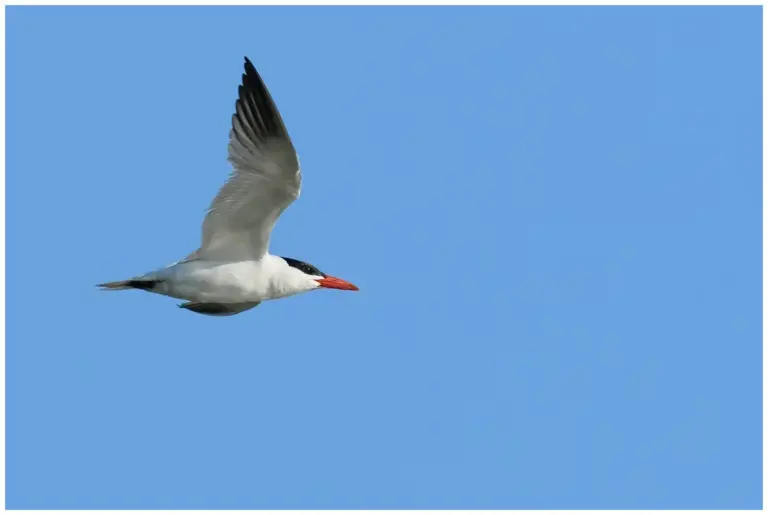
(232, 271)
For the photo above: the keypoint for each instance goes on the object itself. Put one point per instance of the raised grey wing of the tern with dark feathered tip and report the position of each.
(264, 181)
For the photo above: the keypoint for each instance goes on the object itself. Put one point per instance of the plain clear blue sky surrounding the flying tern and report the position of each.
(553, 215)
